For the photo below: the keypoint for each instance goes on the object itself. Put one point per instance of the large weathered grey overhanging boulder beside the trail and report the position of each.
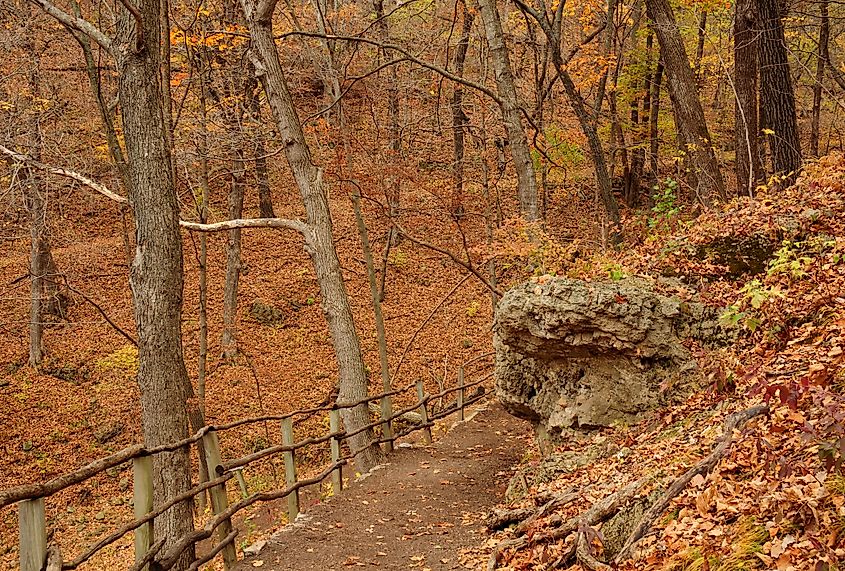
(572, 355)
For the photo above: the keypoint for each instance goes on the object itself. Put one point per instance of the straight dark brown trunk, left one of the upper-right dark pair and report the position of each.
(748, 171)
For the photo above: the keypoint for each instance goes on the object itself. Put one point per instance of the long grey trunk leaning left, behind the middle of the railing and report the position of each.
(320, 243)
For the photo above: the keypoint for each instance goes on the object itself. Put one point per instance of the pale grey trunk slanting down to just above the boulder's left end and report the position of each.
(526, 177)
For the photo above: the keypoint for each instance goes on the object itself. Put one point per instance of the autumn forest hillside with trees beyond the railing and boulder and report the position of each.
(212, 210)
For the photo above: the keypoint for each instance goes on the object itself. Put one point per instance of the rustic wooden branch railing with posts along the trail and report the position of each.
(148, 550)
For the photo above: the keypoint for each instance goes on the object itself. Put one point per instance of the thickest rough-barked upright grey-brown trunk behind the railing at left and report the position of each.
(156, 274)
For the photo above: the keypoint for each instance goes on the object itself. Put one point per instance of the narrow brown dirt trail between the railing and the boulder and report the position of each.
(416, 512)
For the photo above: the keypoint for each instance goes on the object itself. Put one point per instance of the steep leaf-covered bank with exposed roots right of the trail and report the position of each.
(743, 485)
